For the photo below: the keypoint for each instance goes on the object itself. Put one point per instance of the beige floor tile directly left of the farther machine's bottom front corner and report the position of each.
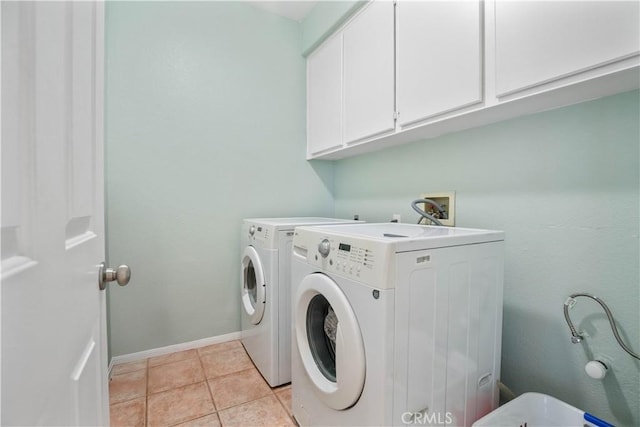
(239, 387)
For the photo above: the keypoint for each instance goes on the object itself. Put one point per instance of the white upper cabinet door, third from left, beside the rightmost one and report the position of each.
(439, 57)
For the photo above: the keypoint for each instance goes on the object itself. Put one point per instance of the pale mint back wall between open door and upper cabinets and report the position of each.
(205, 125)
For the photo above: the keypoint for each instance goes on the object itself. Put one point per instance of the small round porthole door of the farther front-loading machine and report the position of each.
(253, 285)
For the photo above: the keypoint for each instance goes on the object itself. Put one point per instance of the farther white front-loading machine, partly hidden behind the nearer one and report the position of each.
(266, 292)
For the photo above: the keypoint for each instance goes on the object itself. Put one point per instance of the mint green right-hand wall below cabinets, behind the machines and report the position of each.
(564, 185)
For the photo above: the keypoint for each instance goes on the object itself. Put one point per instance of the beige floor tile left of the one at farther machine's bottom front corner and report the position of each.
(179, 405)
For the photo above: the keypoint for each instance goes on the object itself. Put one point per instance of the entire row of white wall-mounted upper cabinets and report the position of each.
(402, 71)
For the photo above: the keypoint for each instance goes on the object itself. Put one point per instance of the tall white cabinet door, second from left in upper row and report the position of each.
(369, 95)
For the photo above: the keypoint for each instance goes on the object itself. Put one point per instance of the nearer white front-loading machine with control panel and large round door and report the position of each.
(395, 324)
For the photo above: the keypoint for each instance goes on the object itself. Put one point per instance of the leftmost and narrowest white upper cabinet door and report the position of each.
(324, 97)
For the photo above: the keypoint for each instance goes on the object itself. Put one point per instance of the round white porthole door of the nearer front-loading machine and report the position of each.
(329, 341)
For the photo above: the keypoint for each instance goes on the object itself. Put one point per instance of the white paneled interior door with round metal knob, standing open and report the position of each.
(54, 355)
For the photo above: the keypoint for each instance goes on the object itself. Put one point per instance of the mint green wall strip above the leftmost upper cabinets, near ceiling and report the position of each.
(323, 19)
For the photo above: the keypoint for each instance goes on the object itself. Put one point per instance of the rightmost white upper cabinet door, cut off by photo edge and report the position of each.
(541, 41)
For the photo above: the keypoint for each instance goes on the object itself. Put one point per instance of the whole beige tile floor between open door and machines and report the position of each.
(217, 385)
